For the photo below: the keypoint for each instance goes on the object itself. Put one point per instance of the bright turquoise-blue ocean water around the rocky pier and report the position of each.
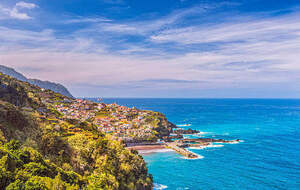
(268, 157)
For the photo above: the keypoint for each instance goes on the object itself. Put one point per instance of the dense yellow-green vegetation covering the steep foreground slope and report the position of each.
(39, 150)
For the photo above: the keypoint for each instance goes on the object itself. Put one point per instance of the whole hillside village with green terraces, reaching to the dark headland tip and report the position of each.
(122, 123)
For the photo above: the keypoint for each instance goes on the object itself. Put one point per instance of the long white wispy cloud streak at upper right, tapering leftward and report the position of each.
(255, 30)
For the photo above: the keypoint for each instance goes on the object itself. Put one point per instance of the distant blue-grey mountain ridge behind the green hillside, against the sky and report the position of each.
(43, 84)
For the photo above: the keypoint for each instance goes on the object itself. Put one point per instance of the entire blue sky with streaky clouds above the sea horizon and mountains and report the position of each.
(157, 48)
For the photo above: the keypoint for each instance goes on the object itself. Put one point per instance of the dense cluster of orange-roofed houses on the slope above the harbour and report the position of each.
(122, 122)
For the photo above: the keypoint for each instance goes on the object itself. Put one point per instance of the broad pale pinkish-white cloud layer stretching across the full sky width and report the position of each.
(257, 52)
